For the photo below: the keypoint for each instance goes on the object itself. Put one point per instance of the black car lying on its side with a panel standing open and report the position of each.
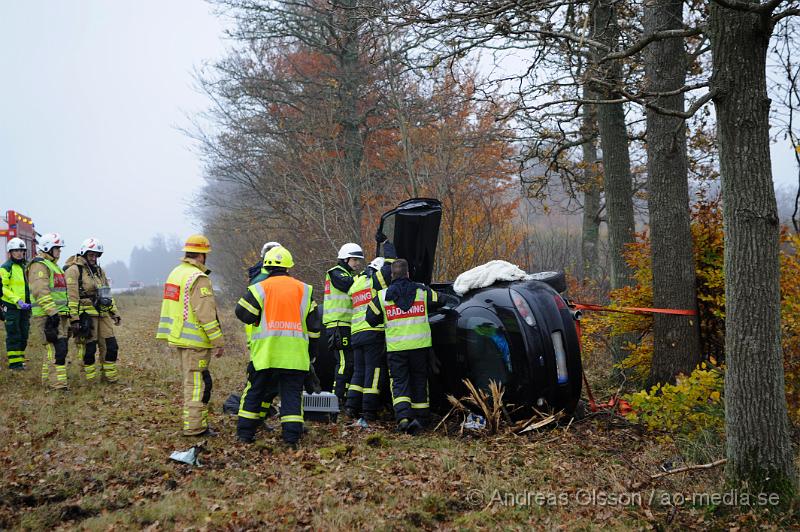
(520, 334)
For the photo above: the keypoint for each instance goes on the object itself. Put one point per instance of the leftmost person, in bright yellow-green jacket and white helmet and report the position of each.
(16, 302)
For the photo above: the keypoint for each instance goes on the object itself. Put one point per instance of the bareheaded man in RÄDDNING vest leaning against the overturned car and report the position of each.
(403, 310)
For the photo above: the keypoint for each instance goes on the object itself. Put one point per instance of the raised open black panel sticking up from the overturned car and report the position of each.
(413, 228)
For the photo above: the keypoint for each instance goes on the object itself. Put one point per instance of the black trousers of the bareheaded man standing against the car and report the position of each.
(408, 371)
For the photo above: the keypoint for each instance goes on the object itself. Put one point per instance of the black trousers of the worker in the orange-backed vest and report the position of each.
(261, 388)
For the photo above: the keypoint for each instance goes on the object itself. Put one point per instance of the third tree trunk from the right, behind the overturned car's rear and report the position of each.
(617, 180)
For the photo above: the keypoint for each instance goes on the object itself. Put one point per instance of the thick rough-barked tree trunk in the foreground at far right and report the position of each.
(757, 430)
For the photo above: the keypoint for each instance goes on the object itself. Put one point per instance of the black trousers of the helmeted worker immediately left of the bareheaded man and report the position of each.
(370, 377)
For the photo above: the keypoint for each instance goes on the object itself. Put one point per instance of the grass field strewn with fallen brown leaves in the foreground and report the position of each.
(96, 458)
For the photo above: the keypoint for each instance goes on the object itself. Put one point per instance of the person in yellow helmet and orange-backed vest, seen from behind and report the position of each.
(286, 323)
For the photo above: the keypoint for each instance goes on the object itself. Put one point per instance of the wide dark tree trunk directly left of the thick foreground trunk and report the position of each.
(676, 339)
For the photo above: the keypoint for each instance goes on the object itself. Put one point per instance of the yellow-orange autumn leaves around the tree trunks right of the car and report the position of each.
(709, 260)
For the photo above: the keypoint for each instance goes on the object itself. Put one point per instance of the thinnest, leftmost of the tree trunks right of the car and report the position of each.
(590, 235)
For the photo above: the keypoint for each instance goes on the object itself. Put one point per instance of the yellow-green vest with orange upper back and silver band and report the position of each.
(281, 338)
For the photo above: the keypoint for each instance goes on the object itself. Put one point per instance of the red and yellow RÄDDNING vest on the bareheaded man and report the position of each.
(406, 329)
